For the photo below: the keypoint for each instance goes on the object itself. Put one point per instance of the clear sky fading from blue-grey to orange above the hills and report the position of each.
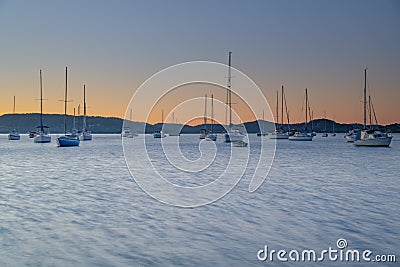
(115, 46)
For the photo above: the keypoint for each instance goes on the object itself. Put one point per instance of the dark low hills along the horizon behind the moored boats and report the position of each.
(28, 122)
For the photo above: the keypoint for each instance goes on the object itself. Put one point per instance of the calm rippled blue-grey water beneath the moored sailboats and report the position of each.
(80, 206)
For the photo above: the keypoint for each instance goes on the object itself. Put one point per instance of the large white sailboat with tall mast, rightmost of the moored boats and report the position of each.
(370, 137)
